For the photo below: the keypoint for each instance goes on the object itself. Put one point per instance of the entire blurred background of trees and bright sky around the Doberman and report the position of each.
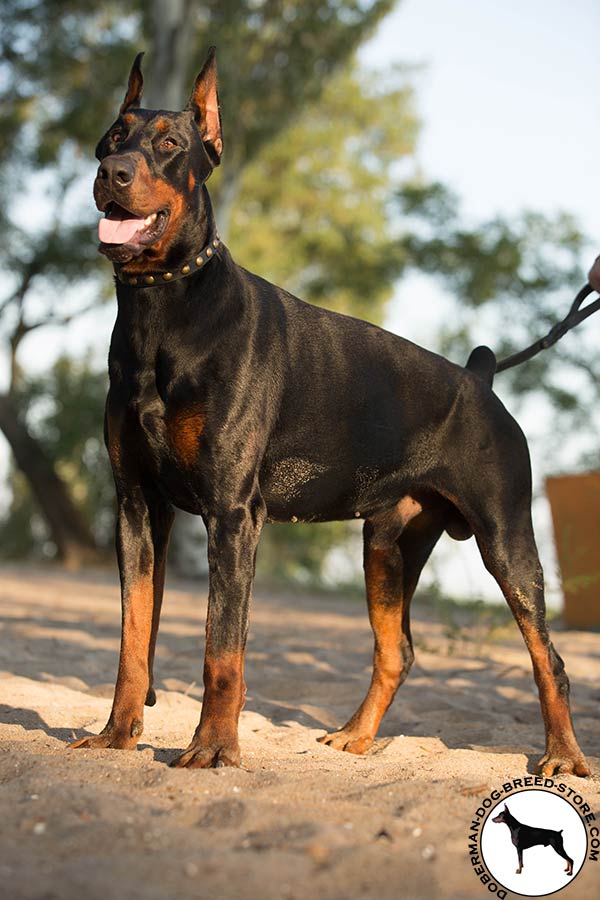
(427, 165)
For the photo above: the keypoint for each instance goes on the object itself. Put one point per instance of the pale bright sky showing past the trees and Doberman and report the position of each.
(507, 95)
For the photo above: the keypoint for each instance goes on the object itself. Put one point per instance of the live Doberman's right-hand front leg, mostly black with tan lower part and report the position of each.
(232, 542)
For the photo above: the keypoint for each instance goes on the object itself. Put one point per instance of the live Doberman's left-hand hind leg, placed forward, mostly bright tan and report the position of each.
(393, 564)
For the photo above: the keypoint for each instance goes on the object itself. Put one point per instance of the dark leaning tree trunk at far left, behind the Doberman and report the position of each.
(74, 541)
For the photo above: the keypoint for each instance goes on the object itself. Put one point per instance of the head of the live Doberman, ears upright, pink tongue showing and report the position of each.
(153, 164)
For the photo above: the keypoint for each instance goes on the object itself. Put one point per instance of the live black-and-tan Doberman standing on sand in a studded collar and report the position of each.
(232, 399)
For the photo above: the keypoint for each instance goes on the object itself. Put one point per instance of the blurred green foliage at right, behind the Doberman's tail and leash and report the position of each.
(512, 281)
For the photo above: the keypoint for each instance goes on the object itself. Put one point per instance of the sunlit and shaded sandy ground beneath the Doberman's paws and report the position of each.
(299, 820)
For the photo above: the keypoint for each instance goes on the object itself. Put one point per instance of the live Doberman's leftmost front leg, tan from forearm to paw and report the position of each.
(143, 526)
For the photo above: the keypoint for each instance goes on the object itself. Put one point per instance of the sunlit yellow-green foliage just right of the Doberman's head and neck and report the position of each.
(313, 211)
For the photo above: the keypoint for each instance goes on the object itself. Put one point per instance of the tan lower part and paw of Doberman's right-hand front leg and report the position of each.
(215, 742)
